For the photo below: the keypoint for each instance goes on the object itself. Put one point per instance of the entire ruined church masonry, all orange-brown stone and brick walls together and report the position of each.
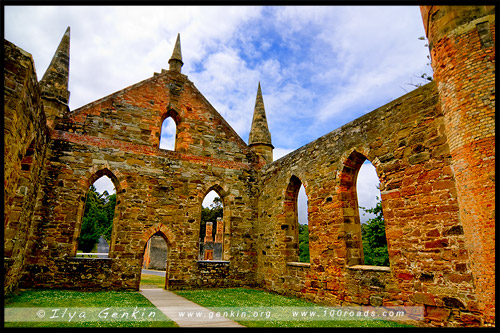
(433, 150)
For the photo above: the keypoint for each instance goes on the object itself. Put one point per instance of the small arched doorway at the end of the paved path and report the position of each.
(155, 264)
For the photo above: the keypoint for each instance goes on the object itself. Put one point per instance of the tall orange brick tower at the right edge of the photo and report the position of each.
(462, 45)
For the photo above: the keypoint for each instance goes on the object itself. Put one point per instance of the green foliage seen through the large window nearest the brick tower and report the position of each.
(373, 237)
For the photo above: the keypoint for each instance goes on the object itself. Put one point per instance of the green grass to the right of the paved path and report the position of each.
(248, 298)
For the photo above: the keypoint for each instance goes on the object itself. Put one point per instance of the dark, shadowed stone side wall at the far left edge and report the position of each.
(25, 145)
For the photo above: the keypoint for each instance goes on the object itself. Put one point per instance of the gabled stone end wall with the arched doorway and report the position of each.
(118, 136)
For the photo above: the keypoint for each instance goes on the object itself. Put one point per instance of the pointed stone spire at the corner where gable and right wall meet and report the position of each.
(260, 137)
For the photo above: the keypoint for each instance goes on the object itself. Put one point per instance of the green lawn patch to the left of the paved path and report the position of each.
(131, 308)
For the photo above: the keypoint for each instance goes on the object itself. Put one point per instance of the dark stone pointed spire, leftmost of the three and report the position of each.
(54, 83)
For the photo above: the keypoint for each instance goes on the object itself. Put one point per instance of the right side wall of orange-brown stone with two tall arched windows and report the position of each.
(429, 264)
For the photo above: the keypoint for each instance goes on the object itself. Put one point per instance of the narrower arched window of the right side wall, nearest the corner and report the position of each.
(295, 227)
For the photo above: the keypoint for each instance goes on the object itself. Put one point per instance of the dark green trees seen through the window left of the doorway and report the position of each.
(97, 219)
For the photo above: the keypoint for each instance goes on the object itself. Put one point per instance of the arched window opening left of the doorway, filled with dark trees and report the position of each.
(97, 221)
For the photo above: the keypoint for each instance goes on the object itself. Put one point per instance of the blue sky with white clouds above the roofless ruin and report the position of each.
(319, 67)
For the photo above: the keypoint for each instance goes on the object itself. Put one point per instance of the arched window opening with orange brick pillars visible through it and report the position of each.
(211, 227)
